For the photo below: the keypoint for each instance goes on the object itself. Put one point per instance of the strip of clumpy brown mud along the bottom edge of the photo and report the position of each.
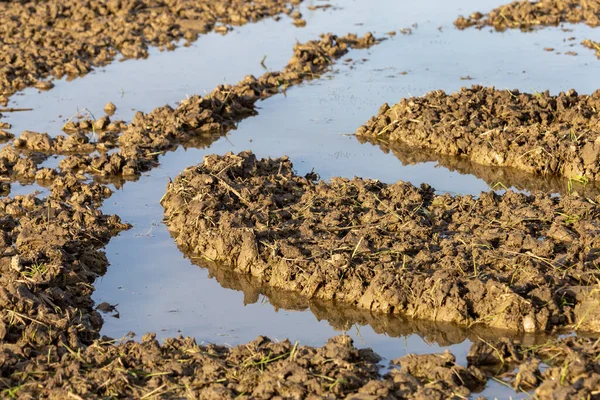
(265, 369)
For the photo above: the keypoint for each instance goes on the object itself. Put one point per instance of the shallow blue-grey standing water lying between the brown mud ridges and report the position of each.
(159, 290)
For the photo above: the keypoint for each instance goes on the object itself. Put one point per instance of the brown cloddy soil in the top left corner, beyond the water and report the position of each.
(45, 40)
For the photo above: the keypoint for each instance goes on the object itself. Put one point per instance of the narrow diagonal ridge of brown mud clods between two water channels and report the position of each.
(198, 118)
